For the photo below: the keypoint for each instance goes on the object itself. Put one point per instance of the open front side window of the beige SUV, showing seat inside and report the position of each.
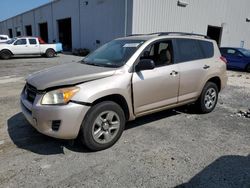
(160, 52)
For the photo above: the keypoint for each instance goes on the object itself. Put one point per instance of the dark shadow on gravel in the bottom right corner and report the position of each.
(226, 172)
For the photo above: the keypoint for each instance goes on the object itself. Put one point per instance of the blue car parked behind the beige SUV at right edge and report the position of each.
(237, 58)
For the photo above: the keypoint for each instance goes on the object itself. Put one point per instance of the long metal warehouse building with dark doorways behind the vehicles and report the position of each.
(90, 23)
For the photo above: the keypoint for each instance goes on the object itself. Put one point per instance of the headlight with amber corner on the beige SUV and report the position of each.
(59, 96)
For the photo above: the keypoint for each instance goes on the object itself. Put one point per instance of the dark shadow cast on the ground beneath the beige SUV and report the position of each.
(26, 137)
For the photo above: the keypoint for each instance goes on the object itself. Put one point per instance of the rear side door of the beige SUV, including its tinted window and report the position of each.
(195, 60)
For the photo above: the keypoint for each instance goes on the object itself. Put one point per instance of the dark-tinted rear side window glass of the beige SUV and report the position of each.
(191, 49)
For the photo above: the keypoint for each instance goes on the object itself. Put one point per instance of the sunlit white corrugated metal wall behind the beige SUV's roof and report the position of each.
(164, 15)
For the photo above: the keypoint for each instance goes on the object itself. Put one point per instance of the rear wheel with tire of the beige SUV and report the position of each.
(208, 98)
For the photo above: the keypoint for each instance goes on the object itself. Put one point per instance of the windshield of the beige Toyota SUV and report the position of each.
(113, 54)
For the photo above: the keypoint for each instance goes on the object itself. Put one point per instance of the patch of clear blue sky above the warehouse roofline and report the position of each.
(10, 8)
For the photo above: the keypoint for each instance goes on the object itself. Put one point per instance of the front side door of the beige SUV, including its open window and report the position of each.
(156, 88)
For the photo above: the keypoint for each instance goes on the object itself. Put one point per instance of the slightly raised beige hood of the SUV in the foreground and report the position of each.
(68, 74)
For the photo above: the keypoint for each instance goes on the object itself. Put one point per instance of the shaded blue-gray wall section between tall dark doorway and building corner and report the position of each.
(101, 21)
